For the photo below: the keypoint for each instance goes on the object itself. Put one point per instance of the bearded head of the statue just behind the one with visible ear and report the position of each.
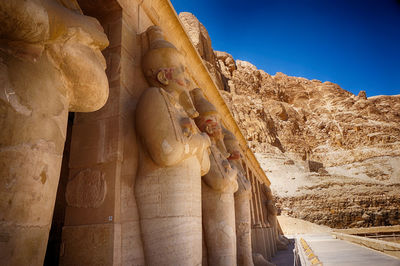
(209, 120)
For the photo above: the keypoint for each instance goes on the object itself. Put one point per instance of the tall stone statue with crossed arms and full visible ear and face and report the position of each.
(173, 156)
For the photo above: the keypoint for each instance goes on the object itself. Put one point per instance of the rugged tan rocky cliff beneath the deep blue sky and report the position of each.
(333, 157)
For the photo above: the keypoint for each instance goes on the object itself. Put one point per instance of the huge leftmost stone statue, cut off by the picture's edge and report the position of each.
(50, 63)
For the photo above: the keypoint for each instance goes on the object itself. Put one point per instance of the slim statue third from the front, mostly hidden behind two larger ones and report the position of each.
(242, 202)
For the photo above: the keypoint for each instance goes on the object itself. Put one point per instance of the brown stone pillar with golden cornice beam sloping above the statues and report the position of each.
(102, 225)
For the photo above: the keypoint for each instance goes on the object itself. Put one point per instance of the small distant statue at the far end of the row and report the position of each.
(281, 241)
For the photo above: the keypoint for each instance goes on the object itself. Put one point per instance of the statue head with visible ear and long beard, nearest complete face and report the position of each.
(163, 67)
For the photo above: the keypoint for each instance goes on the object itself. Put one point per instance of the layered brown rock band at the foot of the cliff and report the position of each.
(364, 205)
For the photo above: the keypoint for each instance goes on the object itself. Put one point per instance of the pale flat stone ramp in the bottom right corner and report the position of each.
(335, 252)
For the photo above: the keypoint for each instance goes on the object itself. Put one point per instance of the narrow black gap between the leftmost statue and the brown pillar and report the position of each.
(54, 247)
